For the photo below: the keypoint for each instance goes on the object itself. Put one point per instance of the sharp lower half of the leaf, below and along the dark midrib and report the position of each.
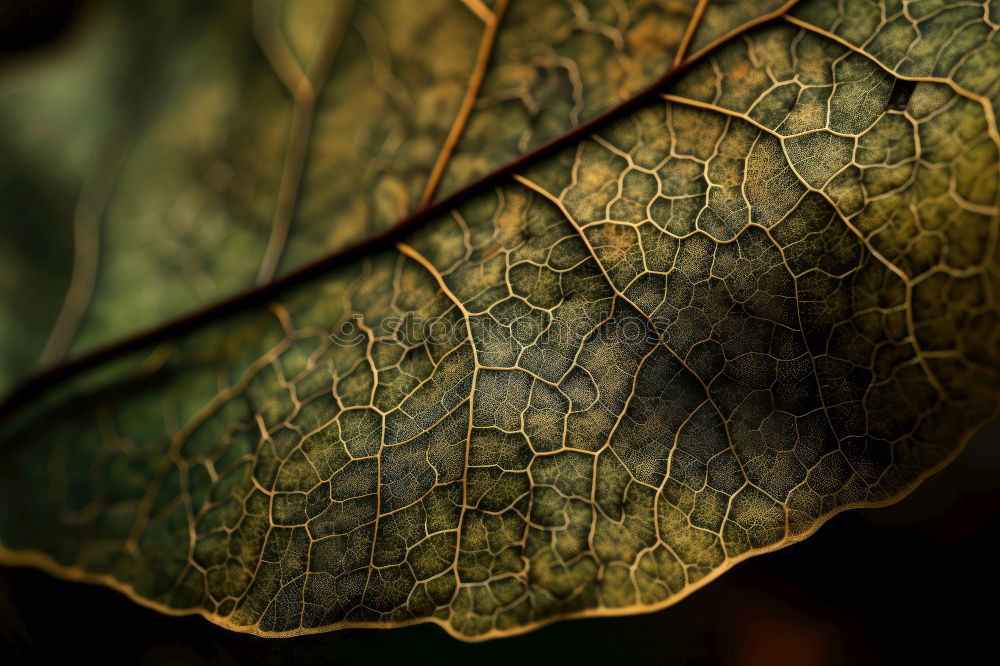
(760, 298)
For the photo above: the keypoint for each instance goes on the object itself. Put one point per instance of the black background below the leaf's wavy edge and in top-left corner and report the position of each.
(914, 582)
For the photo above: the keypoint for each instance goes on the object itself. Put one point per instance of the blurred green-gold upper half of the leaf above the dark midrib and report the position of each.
(183, 163)
